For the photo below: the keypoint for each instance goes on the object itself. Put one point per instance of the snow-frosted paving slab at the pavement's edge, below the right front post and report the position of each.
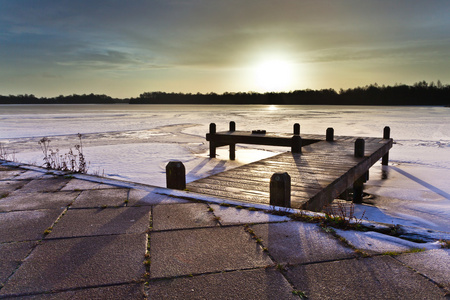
(232, 215)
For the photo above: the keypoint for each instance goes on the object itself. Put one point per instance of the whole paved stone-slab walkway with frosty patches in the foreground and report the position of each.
(77, 237)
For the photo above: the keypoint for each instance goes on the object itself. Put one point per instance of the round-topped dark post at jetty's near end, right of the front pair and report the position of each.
(280, 189)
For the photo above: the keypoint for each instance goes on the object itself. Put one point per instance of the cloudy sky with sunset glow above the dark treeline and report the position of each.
(124, 48)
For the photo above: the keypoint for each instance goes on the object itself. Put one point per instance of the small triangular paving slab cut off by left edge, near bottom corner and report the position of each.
(12, 255)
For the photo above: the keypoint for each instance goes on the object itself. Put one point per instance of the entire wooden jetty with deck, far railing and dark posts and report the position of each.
(316, 171)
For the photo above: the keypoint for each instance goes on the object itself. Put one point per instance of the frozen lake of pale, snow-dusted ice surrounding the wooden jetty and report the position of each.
(135, 142)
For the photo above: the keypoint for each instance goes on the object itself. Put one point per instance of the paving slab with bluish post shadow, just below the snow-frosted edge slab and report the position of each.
(297, 242)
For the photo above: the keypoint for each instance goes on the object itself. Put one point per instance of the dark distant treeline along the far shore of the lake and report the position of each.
(420, 93)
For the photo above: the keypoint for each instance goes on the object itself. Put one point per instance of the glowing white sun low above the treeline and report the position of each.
(273, 75)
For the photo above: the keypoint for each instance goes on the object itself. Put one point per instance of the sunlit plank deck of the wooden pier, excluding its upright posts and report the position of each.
(320, 173)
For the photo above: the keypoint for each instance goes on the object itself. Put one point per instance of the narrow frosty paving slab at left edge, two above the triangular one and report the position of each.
(32, 201)
